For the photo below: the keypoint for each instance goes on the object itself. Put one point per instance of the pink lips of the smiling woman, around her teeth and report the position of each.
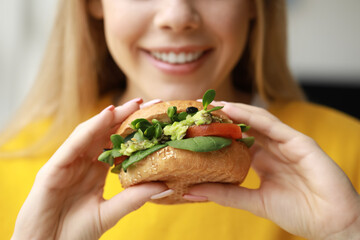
(177, 69)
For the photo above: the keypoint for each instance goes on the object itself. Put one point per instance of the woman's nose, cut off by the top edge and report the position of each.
(177, 16)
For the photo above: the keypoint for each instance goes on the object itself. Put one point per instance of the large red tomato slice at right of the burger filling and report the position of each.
(227, 130)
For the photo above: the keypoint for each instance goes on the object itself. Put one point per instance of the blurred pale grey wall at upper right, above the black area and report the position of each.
(324, 40)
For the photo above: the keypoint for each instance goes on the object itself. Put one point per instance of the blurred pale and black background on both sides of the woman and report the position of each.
(324, 50)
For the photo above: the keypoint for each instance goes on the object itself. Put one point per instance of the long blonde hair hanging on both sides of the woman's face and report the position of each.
(77, 70)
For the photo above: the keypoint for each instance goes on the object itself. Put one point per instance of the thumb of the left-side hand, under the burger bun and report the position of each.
(132, 198)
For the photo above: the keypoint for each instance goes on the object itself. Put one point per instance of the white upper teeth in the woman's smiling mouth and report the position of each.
(177, 58)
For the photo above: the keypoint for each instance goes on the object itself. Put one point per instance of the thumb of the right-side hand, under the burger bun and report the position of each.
(229, 195)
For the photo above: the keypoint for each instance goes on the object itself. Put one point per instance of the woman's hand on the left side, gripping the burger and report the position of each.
(66, 199)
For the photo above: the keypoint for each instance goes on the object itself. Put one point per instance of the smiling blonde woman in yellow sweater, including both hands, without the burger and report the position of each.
(176, 50)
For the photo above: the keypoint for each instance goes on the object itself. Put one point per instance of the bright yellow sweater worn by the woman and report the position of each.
(336, 133)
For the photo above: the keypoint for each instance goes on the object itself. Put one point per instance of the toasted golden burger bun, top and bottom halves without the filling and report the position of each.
(180, 169)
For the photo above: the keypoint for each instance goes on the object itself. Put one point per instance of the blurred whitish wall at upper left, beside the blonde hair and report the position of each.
(24, 29)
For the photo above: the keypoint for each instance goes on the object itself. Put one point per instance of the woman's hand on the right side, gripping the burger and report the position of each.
(302, 189)
